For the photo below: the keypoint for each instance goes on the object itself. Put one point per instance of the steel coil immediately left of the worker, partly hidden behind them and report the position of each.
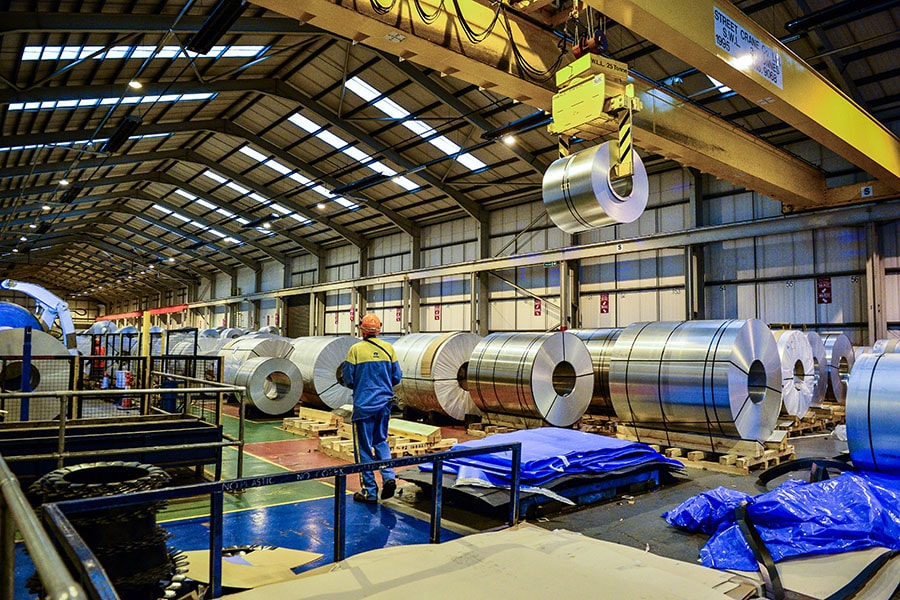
(320, 360)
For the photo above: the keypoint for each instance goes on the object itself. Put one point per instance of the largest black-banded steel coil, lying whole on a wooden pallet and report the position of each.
(710, 377)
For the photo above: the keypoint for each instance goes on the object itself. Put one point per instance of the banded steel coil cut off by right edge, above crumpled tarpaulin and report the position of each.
(873, 410)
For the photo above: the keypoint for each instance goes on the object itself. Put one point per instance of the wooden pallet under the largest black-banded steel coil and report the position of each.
(712, 453)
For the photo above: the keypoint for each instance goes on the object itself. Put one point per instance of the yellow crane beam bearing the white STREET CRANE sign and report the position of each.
(706, 34)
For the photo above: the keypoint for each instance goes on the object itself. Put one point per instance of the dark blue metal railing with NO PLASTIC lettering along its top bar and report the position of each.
(98, 586)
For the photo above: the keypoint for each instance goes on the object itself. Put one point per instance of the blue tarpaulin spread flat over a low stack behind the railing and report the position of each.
(549, 453)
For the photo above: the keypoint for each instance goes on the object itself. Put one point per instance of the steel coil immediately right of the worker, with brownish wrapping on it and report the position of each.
(435, 368)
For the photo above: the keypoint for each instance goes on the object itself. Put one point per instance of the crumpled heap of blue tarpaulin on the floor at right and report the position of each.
(849, 512)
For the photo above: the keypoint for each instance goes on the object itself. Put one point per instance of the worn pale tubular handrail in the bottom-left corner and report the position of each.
(16, 513)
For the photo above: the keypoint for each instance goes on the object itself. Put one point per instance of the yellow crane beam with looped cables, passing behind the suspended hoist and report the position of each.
(667, 125)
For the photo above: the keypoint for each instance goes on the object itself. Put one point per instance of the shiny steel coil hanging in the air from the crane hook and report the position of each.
(578, 194)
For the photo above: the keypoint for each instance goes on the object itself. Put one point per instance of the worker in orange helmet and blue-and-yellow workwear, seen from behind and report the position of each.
(371, 370)
